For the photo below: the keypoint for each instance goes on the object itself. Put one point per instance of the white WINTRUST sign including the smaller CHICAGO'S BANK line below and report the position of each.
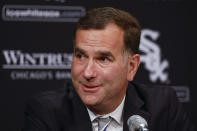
(37, 66)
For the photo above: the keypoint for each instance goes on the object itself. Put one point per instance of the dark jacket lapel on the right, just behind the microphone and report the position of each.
(134, 105)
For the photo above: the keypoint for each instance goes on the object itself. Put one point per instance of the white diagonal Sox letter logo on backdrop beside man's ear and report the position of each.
(151, 57)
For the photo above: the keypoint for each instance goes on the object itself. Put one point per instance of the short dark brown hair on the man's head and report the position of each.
(98, 18)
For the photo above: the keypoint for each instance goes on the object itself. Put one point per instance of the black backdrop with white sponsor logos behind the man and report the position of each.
(36, 48)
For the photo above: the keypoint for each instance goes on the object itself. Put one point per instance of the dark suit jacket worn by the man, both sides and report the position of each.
(62, 110)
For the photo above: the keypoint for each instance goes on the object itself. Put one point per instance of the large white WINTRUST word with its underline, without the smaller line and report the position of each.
(16, 59)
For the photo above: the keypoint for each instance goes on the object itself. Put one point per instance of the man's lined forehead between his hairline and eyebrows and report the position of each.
(109, 38)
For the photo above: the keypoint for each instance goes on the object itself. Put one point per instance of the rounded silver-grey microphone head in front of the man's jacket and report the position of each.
(137, 123)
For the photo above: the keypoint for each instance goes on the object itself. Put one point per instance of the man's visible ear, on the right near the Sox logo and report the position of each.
(133, 64)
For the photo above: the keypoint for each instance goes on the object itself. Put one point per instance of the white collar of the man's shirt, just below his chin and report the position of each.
(116, 114)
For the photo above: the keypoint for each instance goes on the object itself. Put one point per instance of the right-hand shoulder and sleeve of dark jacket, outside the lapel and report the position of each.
(165, 109)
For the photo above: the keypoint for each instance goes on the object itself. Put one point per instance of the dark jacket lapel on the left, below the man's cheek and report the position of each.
(74, 114)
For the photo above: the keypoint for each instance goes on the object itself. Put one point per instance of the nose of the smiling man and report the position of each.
(90, 70)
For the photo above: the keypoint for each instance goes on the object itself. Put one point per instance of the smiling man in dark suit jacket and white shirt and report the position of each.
(105, 61)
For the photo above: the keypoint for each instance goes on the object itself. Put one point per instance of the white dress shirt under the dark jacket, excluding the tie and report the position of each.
(116, 124)
